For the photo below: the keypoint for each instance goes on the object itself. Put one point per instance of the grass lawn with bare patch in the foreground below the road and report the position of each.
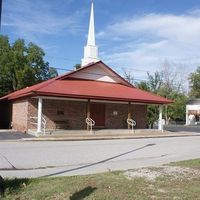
(179, 180)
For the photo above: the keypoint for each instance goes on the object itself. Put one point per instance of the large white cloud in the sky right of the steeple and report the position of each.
(145, 42)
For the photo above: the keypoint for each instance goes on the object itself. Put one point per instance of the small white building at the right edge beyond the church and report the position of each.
(193, 112)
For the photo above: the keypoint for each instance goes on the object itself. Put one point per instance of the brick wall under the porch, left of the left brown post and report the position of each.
(58, 111)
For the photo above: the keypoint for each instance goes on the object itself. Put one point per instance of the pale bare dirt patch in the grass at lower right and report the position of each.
(153, 173)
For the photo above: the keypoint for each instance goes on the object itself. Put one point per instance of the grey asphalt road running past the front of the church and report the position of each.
(33, 159)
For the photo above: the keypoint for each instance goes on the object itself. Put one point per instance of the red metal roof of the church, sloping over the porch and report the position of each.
(88, 89)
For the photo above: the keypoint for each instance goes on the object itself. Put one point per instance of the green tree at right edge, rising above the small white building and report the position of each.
(194, 80)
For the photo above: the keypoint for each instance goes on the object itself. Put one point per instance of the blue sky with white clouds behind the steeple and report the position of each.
(137, 36)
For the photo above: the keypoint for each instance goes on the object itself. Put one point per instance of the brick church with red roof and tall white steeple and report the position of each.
(94, 91)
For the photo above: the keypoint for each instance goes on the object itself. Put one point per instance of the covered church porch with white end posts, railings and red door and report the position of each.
(52, 114)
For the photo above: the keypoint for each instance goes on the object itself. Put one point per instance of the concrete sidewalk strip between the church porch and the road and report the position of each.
(13, 136)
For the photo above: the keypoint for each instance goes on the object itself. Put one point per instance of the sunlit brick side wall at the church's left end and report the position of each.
(19, 115)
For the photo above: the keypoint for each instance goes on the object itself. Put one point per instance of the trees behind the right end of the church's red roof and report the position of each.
(166, 83)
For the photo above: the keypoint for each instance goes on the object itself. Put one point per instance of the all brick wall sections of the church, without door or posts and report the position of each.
(74, 114)
